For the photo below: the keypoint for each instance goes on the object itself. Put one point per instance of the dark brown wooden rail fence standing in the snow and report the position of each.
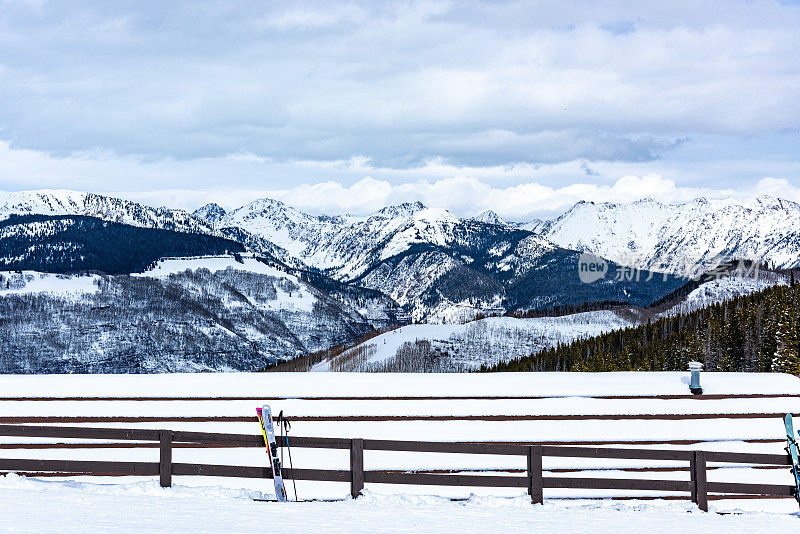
(534, 480)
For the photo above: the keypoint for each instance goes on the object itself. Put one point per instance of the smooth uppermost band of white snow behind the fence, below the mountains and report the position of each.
(303, 385)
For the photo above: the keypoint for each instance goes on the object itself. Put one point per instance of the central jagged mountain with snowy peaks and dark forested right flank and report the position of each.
(440, 267)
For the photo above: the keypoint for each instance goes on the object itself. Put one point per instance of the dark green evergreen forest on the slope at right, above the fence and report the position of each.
(752, 333)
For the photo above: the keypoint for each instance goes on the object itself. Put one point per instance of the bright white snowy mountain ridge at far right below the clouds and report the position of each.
(687, 238)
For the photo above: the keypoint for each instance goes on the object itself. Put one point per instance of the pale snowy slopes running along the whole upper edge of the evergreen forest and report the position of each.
(459, 347)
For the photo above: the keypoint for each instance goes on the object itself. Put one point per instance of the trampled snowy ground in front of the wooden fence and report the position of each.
(35, 506)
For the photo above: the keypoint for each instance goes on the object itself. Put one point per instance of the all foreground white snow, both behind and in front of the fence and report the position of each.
(198, 504)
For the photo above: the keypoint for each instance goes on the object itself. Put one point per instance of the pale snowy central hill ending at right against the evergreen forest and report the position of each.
(440, 347)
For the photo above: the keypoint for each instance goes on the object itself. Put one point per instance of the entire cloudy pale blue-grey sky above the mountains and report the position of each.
(522, 107)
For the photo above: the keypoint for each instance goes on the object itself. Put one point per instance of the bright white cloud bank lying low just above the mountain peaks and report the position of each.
(517, 192)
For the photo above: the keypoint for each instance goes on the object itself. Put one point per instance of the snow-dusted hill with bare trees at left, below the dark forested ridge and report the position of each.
(185, 314)
